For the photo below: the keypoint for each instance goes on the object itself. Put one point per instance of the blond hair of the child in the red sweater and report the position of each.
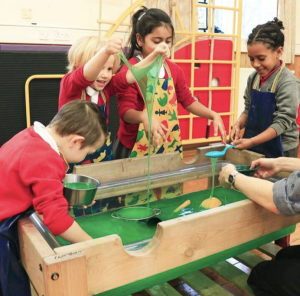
(85, 49)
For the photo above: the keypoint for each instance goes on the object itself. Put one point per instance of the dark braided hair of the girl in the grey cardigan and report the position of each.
(269, 33)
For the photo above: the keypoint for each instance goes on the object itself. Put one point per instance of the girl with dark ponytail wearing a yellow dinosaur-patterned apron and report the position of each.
(151, 27)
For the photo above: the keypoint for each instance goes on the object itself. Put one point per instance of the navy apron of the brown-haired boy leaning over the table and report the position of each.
(13, 277)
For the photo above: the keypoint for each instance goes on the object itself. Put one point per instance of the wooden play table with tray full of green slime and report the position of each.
(180, 245)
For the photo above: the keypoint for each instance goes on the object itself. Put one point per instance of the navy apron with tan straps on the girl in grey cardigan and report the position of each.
(260, 117)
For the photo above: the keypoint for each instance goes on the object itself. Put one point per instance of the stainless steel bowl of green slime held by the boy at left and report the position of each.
(80, 195)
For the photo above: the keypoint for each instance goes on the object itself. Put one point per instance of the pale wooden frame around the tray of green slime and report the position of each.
(79, 269)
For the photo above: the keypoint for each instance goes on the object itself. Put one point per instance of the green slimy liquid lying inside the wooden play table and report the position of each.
(103, 224)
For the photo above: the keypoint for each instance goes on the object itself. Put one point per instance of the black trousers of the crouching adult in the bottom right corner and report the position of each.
(278, 277)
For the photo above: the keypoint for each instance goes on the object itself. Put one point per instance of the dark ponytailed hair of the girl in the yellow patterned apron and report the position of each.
(144, 21)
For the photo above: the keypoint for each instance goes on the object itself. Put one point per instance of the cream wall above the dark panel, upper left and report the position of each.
(55, 21)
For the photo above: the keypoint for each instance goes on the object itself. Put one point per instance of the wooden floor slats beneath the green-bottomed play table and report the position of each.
(228, 278)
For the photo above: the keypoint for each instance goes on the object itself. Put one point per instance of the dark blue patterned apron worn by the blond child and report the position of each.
(105, 152)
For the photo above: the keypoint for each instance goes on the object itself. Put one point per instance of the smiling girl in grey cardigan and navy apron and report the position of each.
(271, 99)
